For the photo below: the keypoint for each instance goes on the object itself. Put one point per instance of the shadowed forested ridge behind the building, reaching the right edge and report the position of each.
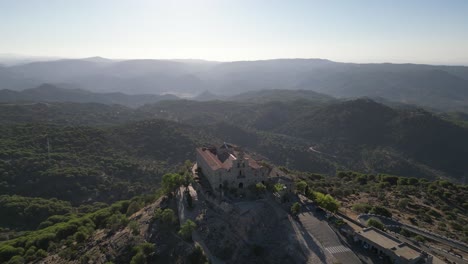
(359, 134)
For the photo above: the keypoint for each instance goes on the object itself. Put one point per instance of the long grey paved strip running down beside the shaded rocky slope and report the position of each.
(319, 228)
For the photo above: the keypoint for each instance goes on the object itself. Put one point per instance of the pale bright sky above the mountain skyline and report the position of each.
(420, 31)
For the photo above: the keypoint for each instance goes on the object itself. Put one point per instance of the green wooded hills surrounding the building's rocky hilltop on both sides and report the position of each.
(69, 169)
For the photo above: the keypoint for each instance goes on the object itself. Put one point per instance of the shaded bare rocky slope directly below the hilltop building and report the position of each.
(252, 233)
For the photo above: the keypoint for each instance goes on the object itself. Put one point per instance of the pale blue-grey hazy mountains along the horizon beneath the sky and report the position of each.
(441, 88)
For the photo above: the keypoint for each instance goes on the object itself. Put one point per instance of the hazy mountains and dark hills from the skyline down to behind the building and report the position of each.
(307, 113)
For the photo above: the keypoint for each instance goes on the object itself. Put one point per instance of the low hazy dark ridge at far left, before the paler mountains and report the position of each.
(52, 93)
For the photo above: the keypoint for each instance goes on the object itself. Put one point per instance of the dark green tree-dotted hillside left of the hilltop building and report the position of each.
(88, 164)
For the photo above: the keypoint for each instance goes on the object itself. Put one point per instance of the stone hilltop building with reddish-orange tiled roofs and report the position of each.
(227, 166)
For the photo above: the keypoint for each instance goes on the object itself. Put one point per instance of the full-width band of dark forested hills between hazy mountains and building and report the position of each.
(320, 136)
